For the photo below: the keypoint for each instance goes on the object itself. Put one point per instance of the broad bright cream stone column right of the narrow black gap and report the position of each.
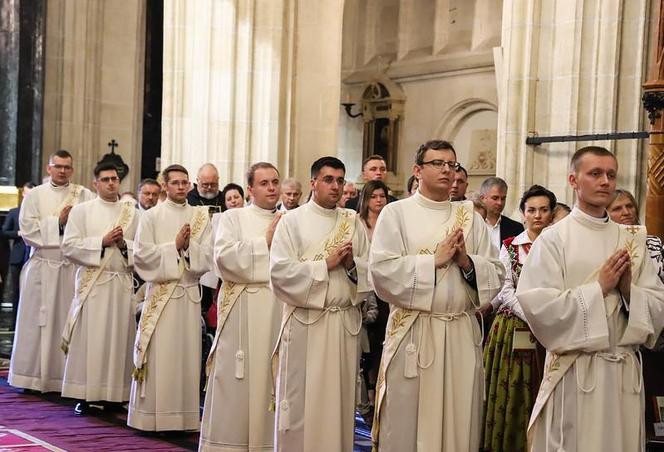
(250, 80)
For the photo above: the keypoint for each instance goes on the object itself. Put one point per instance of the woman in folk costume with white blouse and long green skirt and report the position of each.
(513, 360)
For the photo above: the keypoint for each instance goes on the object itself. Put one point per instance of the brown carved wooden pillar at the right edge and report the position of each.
(653, 101)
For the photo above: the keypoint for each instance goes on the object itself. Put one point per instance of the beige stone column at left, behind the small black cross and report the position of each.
(94, 82)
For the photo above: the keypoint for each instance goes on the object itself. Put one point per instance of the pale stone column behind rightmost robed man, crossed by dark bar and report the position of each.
(569, 68)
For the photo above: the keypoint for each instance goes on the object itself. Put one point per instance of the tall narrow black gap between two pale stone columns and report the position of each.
(154, 62)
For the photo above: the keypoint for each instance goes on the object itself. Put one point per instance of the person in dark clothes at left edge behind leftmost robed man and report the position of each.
(18, 256)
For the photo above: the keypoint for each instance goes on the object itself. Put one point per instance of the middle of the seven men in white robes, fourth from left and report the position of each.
(237, 414)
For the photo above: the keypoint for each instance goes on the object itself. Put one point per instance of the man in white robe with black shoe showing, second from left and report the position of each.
(99, 334)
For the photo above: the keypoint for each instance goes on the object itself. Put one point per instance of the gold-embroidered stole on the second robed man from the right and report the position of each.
(401, 320)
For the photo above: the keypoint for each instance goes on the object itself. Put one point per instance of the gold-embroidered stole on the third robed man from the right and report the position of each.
(343, 231)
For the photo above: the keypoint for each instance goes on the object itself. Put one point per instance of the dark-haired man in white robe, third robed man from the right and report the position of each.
(318, 270)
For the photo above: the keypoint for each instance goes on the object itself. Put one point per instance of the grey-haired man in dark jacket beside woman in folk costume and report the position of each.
(493, 193)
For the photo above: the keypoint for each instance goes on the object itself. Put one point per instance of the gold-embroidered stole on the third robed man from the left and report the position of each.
(158, 297)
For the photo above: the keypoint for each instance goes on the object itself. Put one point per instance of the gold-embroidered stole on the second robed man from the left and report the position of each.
(89, 277)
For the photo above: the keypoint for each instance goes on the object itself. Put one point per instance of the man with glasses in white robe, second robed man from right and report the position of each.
(433, 262)
